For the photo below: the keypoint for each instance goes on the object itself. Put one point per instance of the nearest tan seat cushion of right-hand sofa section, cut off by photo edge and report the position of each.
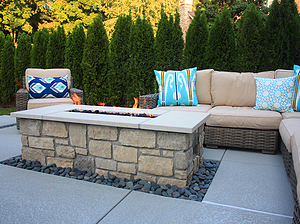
(295, 143)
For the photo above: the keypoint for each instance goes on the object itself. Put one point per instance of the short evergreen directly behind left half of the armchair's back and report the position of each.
(38, 51)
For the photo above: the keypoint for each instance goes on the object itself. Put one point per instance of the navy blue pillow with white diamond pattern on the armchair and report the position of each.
(56, 87)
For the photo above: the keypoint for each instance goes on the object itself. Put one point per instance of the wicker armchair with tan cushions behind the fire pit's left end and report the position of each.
(22, 96)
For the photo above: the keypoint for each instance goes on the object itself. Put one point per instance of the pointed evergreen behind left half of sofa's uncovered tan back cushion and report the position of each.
(221, 44)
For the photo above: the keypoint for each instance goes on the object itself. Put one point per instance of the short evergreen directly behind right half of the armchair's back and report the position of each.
(55, 55)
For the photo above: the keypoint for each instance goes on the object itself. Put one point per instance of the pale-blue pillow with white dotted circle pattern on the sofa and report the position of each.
(274, 94)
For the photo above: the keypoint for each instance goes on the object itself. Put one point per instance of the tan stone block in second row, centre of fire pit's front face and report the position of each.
(125, 154)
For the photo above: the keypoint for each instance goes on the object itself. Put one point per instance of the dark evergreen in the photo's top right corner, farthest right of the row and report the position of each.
(282, 34)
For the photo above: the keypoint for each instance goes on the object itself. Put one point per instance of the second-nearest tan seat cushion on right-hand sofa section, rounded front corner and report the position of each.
(287, 128)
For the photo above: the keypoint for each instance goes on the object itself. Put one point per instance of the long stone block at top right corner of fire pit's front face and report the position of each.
(174, 141)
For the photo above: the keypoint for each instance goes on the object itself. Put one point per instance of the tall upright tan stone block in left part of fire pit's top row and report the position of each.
(77, 135)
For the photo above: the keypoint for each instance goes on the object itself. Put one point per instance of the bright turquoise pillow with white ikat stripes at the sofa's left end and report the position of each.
(177, 88)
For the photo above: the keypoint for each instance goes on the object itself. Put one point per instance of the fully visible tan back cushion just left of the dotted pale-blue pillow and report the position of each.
(233, 89)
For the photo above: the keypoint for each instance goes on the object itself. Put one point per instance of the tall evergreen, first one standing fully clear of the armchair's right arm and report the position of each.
(95, 63)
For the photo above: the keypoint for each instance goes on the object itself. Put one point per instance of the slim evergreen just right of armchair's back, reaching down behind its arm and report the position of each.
(74, 54)
